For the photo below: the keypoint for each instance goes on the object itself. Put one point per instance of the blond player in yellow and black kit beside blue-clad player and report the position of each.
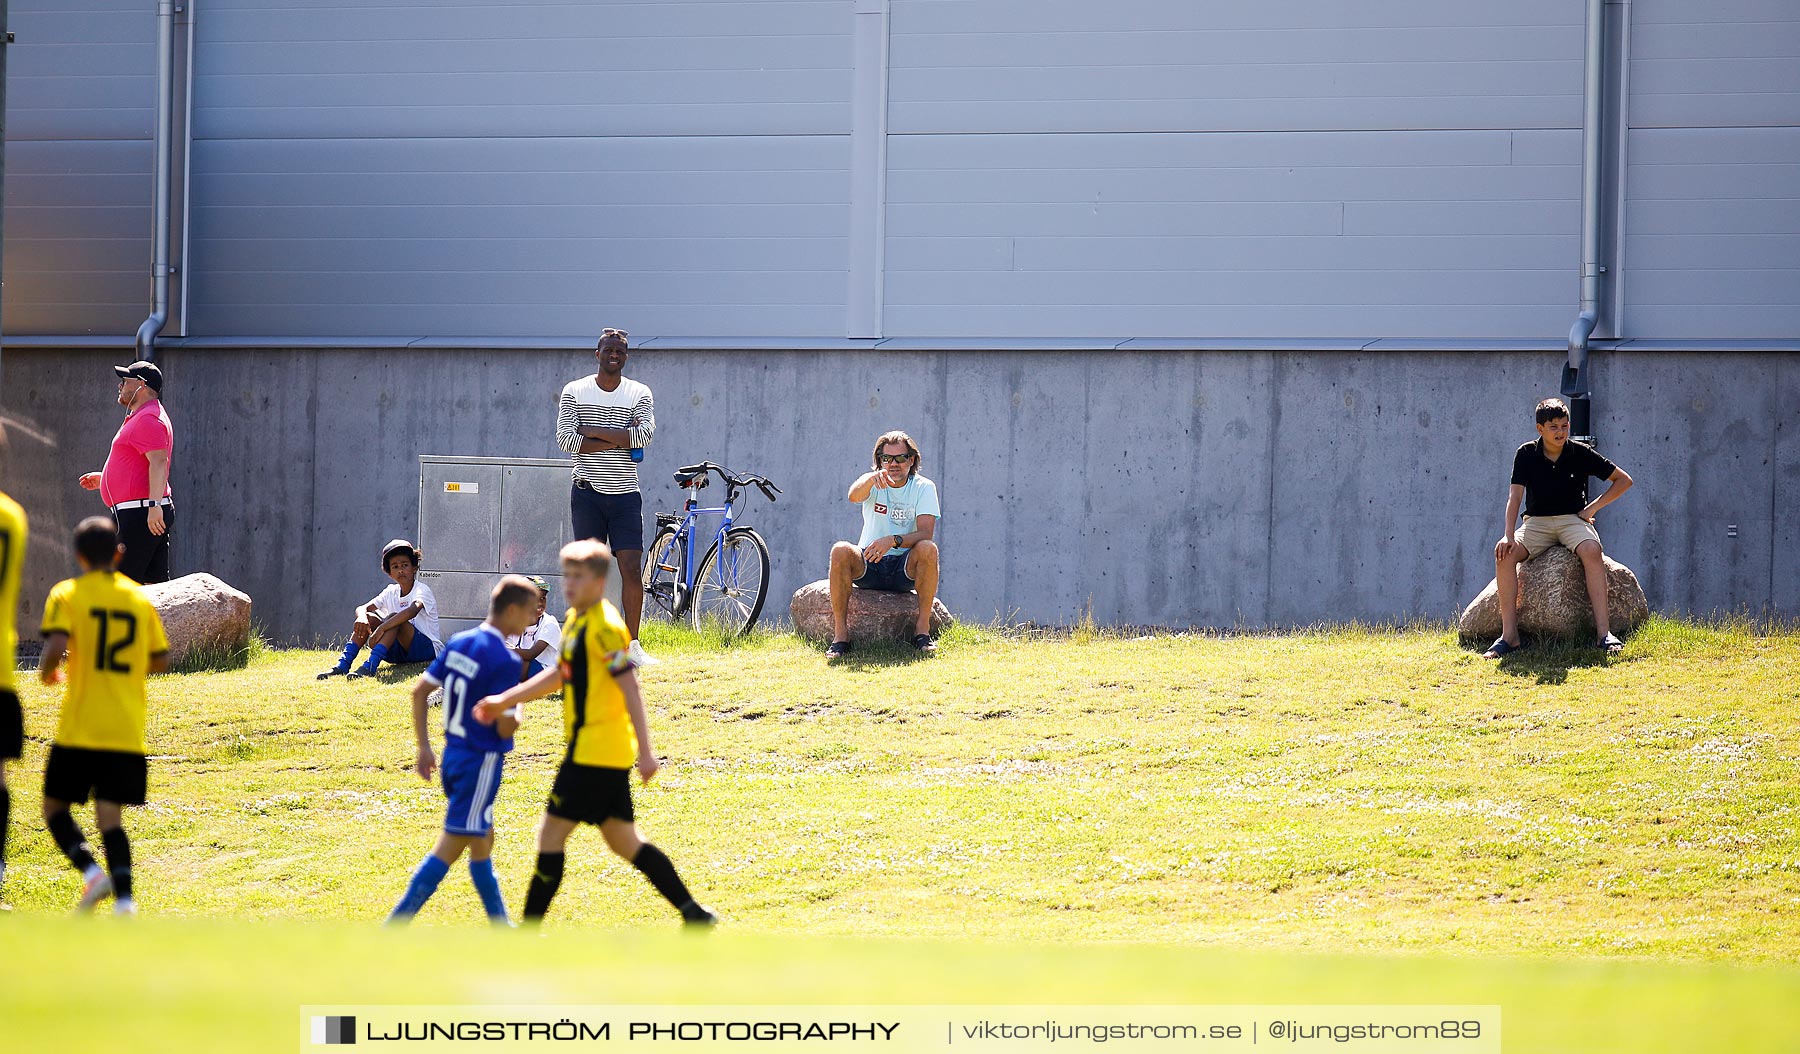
(604, 719)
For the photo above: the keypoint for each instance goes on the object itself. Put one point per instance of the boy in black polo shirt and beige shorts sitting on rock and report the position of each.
(1551, 476)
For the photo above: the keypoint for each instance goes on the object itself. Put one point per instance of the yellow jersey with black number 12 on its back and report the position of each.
(112, 632)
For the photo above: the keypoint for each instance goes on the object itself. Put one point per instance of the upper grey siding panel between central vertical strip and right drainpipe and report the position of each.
(1138, 66)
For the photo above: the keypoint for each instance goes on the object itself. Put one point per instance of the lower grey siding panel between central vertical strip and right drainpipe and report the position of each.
(1461, 235)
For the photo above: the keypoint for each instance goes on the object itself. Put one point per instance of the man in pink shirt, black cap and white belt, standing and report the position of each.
(136, 481)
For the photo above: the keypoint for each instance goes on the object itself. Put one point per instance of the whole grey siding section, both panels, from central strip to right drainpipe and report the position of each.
(1401, 168)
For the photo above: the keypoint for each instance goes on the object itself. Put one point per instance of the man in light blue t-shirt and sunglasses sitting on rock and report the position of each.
(897, 551)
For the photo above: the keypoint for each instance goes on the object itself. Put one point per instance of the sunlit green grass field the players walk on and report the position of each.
(1606, 848)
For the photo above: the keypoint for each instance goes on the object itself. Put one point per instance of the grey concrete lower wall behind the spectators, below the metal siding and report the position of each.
(1167, 488)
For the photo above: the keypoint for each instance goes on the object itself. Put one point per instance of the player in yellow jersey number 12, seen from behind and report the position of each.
(111, 634)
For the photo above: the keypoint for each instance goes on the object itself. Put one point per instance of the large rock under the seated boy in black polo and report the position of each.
(1554, 600)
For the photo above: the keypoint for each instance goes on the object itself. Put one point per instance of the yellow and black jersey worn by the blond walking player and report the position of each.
(595, 719)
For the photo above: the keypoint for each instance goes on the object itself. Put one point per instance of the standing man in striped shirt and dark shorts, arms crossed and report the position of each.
(606, 422)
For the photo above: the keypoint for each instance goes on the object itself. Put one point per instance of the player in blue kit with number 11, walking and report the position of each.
(474, 665)
